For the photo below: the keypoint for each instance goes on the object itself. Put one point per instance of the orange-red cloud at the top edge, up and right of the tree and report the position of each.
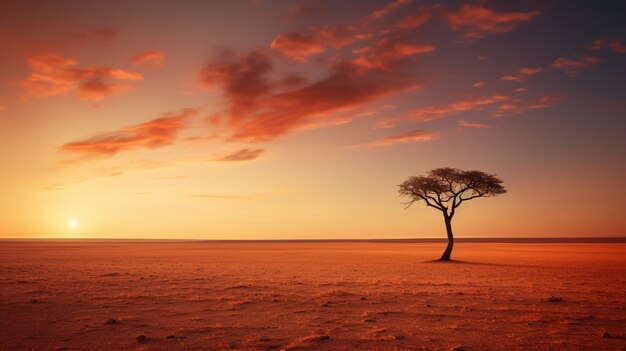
(477, 22)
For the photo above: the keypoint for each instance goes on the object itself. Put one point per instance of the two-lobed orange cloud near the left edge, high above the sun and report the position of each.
(53, 75)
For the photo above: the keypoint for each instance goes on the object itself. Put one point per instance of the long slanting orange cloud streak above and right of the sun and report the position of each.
(152, 134)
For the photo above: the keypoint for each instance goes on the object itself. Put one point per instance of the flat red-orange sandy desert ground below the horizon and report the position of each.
(311, 296)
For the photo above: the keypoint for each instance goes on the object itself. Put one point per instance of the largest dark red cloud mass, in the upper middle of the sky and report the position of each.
(262, 108)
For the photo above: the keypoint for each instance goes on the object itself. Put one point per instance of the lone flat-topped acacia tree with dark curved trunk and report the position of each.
(446, 189)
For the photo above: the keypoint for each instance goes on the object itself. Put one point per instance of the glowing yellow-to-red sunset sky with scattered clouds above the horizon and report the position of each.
(298, 119)
